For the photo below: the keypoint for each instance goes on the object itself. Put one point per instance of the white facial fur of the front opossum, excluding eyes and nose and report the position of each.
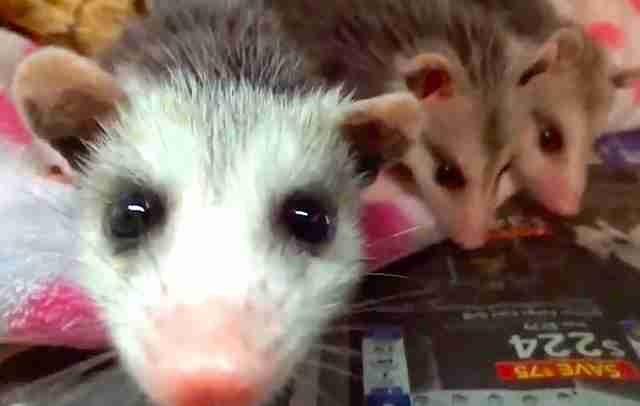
(225, 156)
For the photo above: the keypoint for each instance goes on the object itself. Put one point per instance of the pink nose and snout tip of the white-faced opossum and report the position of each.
(207, 355)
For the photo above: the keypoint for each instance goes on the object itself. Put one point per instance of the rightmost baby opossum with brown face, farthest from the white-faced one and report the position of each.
(569, 92)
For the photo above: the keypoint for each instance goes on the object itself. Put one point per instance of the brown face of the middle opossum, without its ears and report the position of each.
(456, 170)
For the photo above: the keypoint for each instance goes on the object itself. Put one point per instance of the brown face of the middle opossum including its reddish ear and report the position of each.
(463, 148)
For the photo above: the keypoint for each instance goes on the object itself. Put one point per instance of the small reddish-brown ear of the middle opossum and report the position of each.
(428, 74)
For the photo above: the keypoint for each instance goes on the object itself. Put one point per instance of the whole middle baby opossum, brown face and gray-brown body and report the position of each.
(458, 60)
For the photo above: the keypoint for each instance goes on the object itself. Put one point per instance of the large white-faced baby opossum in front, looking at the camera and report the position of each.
(218, 196)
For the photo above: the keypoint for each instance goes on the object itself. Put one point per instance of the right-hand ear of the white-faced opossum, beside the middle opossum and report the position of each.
(381, 129)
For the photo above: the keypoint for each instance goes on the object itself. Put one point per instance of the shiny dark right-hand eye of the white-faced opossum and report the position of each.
(308, 219)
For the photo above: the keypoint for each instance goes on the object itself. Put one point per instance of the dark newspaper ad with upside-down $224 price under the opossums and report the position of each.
(547, 314)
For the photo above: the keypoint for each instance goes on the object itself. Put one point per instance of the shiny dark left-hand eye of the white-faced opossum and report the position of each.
(134, 215)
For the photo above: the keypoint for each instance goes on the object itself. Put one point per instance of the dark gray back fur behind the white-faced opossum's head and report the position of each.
(226, 39)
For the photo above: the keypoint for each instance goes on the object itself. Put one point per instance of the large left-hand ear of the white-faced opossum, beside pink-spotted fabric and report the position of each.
(61, 95)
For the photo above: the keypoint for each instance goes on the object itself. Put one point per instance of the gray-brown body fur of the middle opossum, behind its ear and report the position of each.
(354, 41)
